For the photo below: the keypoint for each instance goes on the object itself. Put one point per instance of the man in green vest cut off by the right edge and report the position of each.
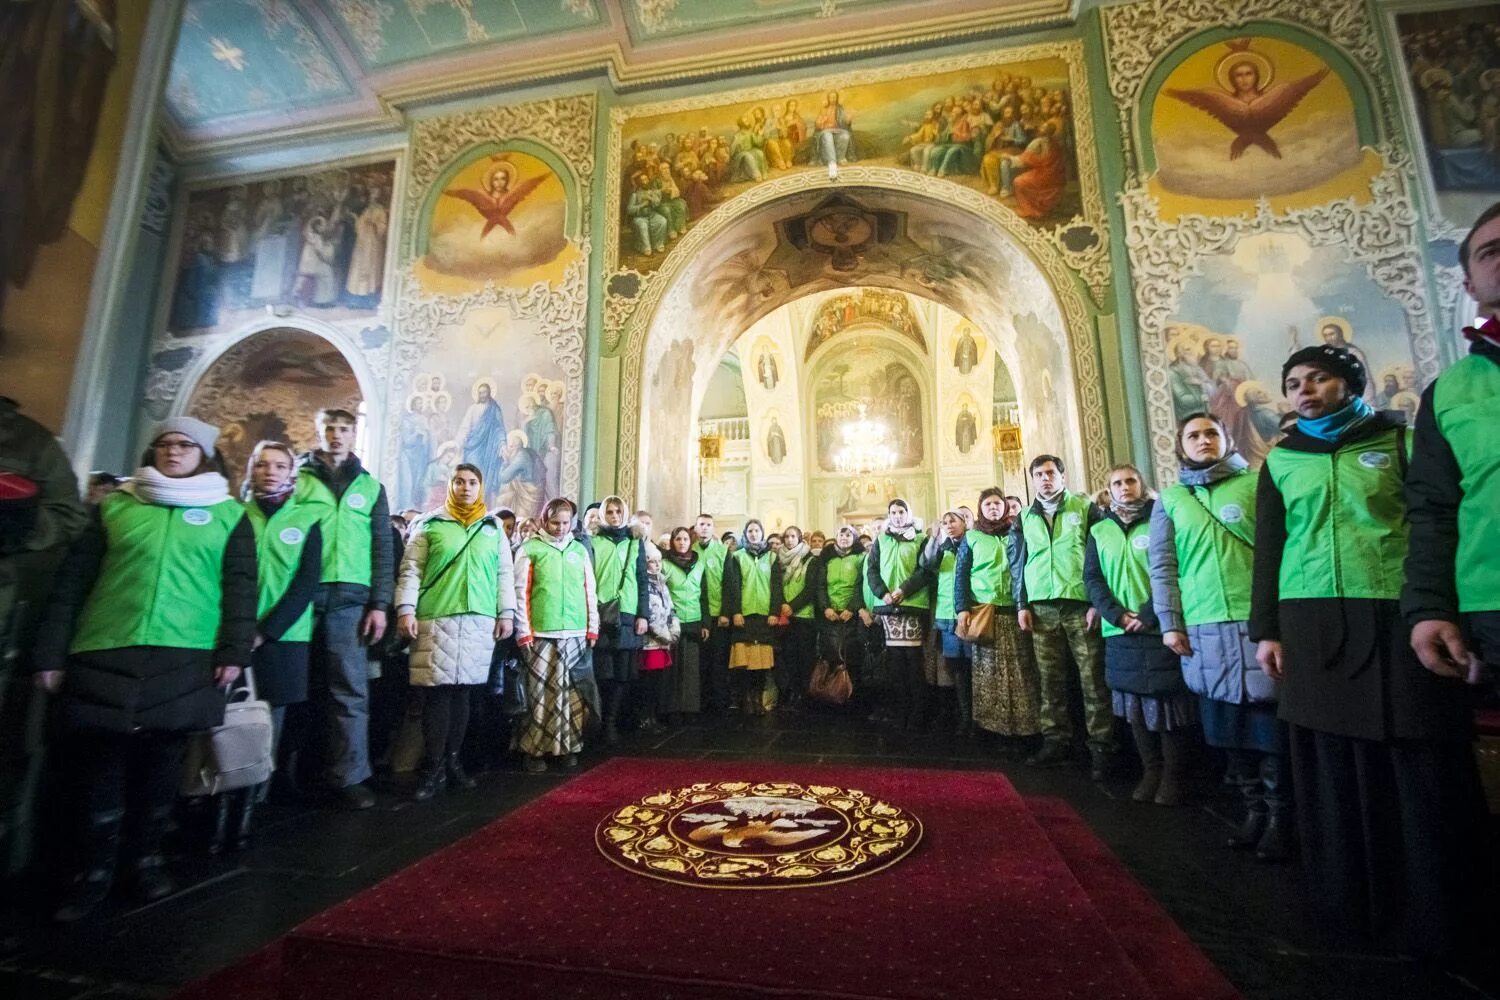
(1453, 567)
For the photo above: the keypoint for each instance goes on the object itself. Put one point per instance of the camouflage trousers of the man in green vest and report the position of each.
(1060, 627)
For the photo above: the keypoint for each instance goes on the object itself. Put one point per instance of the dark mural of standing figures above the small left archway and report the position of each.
(314, 242)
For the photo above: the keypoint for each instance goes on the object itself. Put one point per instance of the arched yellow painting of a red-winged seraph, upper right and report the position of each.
(1255, 118)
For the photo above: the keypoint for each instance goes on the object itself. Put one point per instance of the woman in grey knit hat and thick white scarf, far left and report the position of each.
(152, 612)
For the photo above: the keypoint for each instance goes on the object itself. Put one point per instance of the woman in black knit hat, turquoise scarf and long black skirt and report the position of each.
(1390, 807)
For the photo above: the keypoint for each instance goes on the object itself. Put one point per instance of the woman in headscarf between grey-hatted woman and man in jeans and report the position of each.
(289, 557)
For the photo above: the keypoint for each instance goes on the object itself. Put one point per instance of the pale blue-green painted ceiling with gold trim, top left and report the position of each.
(250, 68)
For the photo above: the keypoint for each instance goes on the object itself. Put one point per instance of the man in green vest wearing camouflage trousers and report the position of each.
(1046, 561)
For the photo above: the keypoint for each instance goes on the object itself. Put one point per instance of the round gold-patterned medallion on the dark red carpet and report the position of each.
(770, 836)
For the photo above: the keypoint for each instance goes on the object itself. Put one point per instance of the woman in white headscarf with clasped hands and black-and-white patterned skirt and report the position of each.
(902, 588)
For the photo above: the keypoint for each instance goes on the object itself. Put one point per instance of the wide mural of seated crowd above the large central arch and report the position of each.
(1004, 130)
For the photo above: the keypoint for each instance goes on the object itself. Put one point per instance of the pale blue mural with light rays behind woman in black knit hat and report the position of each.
(1249, 310)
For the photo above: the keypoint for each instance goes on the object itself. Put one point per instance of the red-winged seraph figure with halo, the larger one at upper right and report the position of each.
(1247, 101)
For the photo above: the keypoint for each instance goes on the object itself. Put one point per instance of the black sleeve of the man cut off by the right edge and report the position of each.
(1433, 491)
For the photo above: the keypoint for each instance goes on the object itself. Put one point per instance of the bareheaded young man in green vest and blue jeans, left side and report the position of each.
(359, 578)
